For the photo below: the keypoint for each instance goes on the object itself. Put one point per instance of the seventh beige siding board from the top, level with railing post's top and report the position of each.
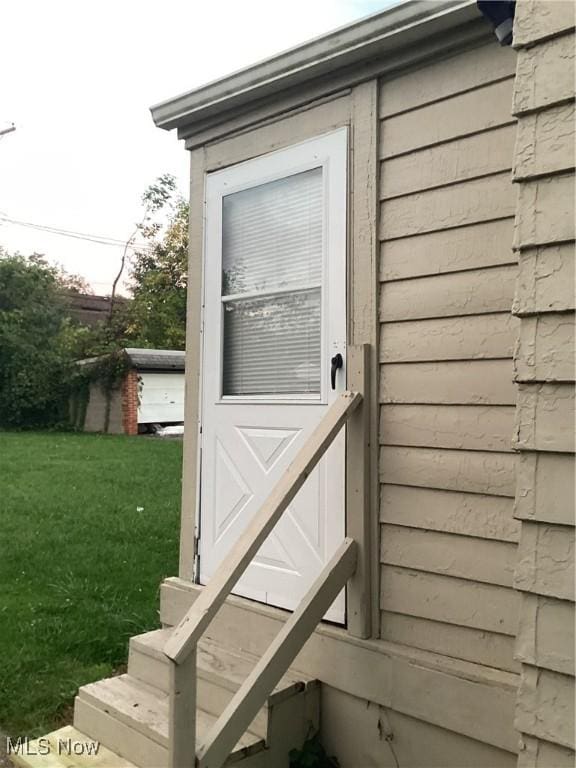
(465, 337)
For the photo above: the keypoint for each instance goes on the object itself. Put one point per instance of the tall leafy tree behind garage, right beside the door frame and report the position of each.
(159, 270)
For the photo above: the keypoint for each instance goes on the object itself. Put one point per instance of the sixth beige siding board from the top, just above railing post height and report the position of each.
(481, 291)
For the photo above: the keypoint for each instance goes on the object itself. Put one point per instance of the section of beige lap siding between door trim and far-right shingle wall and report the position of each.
(447, 271)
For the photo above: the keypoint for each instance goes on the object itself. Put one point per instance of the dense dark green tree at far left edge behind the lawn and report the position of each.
(38, 342)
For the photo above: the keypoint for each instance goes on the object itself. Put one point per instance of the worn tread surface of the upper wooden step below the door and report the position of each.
(215, 662)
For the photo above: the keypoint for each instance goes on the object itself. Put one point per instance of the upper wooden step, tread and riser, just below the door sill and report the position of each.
(221, 672)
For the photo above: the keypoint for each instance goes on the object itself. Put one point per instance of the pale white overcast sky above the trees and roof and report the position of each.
(77, 79)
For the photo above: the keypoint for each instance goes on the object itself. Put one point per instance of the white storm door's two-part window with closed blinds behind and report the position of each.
(272, 241)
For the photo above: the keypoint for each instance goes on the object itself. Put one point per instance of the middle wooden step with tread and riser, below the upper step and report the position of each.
(131, 719)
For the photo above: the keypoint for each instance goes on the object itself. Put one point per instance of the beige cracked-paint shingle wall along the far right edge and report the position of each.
(544, 372)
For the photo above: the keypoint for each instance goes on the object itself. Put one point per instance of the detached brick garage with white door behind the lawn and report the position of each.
(149, 392)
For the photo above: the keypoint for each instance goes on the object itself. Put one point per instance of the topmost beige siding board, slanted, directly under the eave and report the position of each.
(439, 79)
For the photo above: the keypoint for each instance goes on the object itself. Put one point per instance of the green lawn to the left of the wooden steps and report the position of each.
(88, 529)
